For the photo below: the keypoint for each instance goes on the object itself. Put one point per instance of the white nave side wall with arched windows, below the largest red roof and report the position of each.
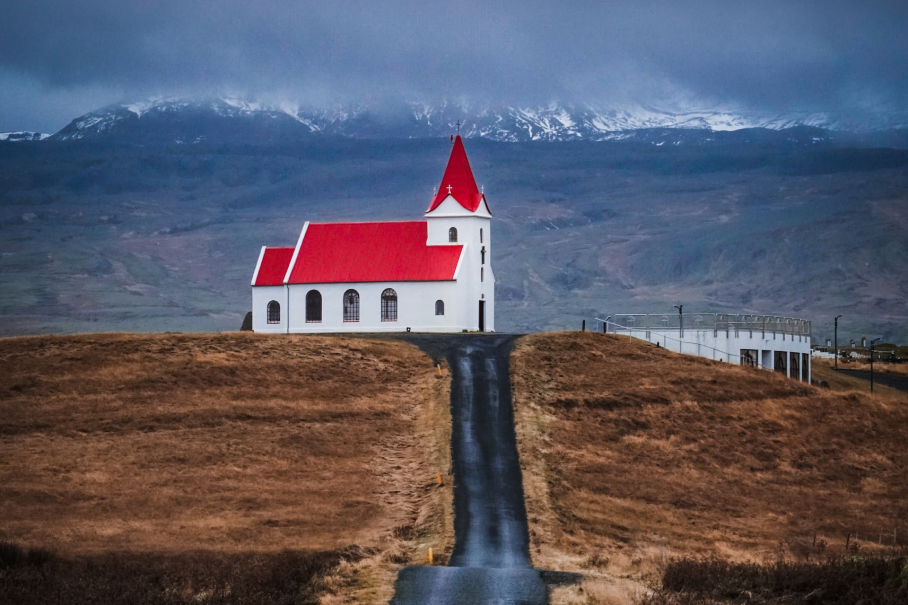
(415, 307)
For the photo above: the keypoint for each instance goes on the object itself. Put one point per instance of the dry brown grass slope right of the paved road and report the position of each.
(632, 455)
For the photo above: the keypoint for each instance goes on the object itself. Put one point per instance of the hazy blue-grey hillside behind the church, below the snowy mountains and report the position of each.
(100, 237)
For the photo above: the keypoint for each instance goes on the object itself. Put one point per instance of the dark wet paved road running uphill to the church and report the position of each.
(490, 562)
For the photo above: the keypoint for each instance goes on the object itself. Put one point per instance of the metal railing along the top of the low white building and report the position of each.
(717, 322)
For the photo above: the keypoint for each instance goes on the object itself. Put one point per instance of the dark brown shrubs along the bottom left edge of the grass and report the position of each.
(36, 577)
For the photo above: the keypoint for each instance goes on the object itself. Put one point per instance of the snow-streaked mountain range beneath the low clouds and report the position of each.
(193, 121)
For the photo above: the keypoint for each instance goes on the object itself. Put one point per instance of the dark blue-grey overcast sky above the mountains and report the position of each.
(61, 58)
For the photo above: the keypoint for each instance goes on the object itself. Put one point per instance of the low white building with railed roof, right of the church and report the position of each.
(781, 344)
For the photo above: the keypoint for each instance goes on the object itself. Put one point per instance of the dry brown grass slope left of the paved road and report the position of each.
(225, 443)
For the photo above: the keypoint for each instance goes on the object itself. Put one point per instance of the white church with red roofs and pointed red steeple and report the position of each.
(433, 275)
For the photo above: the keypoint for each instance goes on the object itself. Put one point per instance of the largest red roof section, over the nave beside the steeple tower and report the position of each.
(369, 252)
